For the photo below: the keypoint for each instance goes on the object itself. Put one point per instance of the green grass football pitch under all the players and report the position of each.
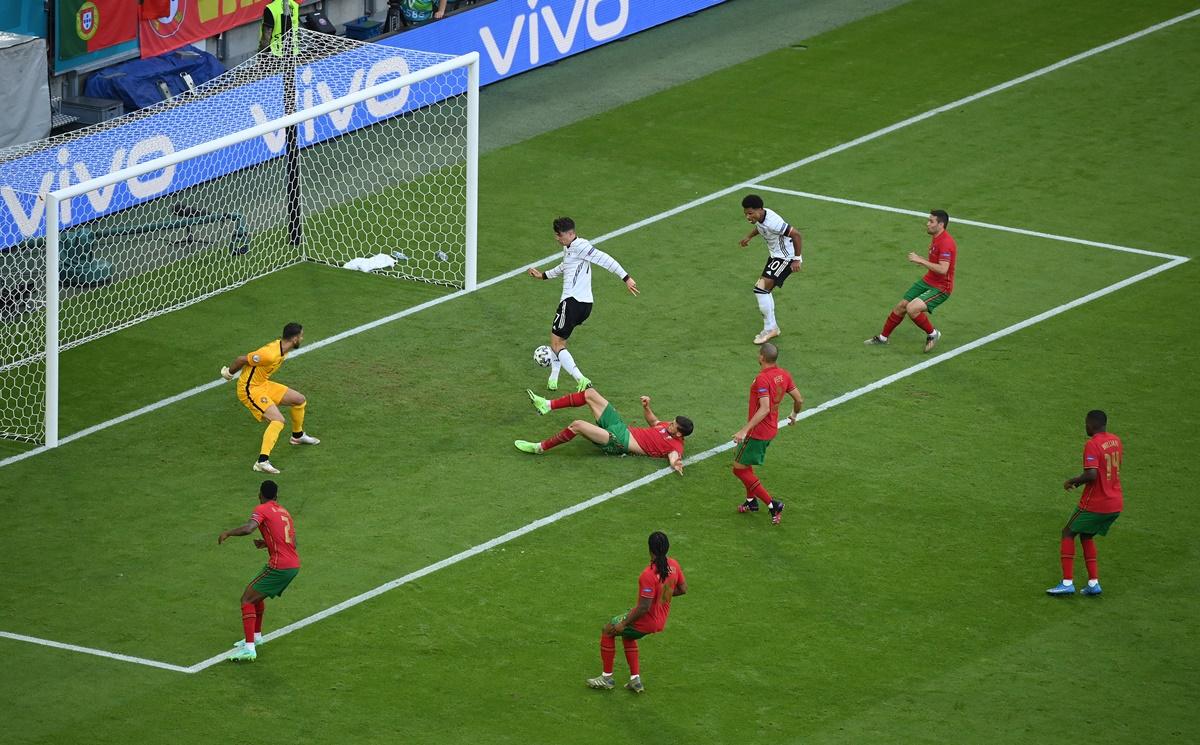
(902, 599)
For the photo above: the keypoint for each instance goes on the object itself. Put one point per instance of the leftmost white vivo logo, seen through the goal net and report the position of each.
(142, 188)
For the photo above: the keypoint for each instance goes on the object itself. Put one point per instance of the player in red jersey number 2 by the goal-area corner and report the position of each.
(283, 567)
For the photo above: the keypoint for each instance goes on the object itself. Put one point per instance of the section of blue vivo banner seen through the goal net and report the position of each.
(178, 128)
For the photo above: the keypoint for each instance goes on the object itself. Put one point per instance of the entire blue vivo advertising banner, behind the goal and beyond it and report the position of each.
(511, 35)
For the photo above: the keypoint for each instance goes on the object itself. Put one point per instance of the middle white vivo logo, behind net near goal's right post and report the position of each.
(309, 95)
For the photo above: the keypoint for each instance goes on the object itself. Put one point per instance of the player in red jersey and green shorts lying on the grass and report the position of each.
(610, 432)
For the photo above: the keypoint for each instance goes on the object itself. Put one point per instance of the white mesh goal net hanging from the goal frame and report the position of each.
(332, 152)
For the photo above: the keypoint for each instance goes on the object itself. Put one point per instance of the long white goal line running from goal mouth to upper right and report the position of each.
(643, 224)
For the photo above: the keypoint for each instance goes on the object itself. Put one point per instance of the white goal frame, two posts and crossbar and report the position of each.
(55, 199)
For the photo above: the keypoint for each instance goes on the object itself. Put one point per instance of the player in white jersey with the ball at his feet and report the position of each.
(575, 305)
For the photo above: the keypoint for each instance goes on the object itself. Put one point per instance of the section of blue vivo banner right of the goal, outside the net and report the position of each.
(514, 37)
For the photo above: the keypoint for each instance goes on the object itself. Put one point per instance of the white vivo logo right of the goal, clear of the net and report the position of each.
(561, 34)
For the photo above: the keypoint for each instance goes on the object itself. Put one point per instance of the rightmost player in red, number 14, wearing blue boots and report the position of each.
(1100, 506)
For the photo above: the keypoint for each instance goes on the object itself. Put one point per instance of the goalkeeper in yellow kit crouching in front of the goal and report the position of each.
(265, 398)
